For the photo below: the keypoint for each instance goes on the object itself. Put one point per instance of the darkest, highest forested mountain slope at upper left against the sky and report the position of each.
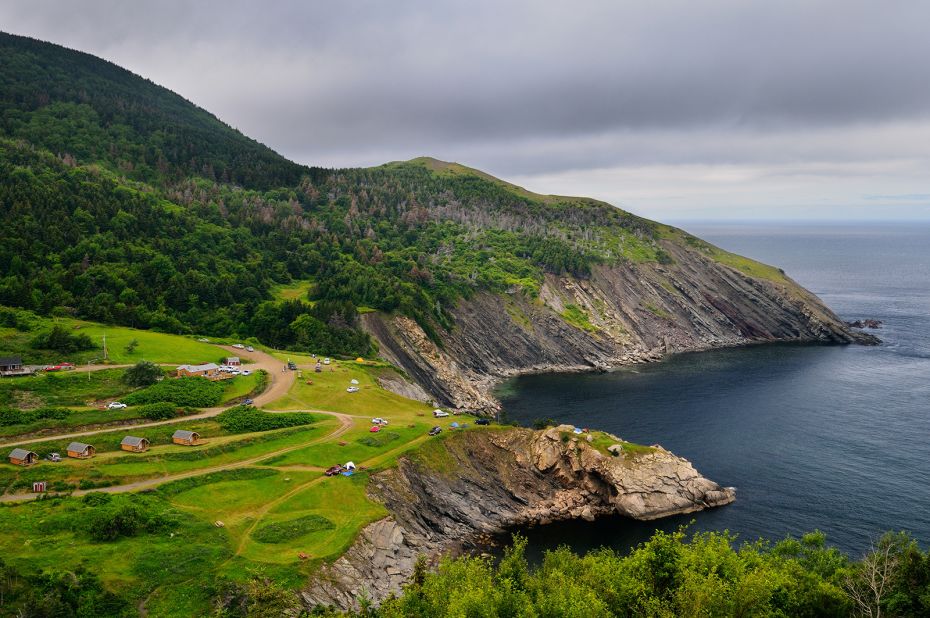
(70, 102)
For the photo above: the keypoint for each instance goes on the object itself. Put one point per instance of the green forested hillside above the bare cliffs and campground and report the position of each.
(122, 202)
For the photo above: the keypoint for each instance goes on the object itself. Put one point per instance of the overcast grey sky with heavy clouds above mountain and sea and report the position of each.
(674, 110)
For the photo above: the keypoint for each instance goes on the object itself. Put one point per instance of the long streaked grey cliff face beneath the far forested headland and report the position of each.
(619, 315)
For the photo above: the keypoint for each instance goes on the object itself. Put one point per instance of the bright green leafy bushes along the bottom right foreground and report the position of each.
(670, 576)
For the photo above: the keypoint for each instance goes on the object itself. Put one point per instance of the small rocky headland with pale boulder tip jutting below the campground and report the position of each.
(456, 491)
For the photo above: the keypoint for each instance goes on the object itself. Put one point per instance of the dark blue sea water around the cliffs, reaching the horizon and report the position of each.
(813, 437)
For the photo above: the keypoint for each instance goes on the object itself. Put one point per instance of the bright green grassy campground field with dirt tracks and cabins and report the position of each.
(260, 485)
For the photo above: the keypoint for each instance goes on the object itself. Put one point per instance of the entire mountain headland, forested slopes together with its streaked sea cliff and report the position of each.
(122, 202)
